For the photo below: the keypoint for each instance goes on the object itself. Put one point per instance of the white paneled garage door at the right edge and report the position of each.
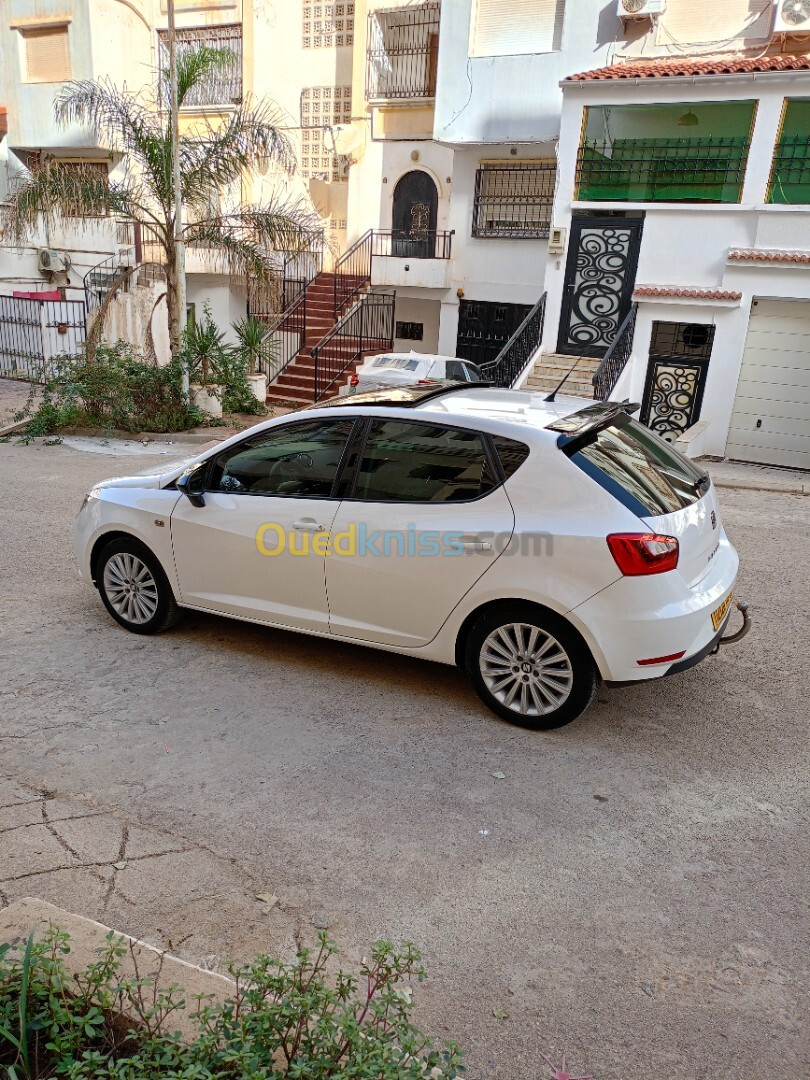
(772, 418)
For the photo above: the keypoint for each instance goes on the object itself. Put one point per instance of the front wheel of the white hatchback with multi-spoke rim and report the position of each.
(146, 595)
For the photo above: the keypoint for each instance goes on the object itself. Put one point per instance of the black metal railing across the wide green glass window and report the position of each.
(650, 170)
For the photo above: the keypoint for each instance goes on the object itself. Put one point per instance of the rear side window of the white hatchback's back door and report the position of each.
(423, 463)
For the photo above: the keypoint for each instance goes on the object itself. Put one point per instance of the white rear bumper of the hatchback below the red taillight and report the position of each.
(638, 620)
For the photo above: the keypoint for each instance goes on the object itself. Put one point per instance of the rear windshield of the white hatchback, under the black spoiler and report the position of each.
(640, 469)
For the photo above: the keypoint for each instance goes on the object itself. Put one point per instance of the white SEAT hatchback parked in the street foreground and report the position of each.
(543, 547)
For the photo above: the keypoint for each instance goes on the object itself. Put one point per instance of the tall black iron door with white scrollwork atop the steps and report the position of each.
(600, 277)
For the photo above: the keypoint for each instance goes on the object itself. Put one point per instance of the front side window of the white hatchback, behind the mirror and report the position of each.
(299, 460)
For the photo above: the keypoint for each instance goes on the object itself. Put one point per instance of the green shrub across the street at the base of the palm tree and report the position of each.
(118, 390)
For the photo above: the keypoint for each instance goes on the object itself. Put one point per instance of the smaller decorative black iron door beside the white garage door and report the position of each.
(677, 375)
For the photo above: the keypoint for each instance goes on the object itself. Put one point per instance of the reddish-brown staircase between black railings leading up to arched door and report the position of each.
(298, 384)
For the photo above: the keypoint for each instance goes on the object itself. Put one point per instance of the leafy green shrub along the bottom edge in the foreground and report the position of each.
(303, 1021)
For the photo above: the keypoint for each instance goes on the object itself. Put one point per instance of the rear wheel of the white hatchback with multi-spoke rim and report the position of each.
(547, 694)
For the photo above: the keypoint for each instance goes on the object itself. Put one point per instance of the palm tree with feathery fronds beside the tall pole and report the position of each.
(138, 127)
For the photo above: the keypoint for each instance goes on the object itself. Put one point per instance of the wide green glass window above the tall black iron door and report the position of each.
(694, 152)
